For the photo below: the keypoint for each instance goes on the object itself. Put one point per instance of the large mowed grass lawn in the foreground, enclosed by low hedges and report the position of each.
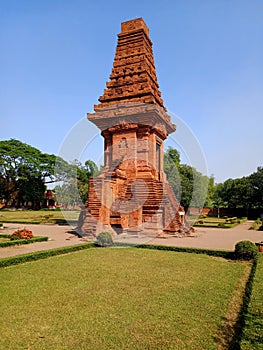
(117, 298)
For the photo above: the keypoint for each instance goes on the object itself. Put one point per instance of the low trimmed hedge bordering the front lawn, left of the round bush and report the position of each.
(19, 259)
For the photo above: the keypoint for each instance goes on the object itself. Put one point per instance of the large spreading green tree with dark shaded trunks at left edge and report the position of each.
(24, 172)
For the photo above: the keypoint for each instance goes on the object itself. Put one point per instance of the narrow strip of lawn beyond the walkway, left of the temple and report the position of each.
(38, 216)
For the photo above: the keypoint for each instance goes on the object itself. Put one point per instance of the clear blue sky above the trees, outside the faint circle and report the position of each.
(56, 57)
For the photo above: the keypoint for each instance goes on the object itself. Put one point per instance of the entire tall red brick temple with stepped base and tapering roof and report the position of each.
(132, 195)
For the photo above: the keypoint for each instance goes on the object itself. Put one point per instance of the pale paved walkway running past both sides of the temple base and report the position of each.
(61, 236)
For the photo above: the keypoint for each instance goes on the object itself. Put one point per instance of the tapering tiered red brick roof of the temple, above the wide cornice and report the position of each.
(133, 77)
